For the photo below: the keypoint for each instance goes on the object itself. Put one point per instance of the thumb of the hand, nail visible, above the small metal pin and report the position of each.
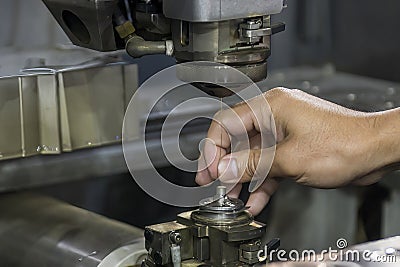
(245, 165)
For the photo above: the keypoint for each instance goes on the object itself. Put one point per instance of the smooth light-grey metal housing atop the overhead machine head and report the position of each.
(219, 10)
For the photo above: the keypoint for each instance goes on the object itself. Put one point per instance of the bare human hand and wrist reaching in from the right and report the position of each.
(319, 144)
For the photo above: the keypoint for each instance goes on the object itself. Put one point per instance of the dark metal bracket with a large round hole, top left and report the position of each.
(87, 23)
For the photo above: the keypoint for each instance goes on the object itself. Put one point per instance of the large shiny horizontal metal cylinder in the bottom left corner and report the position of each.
(39, 231)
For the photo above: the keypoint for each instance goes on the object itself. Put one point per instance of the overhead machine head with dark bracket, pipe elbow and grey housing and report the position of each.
(235, 33)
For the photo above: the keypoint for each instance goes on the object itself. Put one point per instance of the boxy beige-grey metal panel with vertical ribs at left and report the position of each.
(60, 109)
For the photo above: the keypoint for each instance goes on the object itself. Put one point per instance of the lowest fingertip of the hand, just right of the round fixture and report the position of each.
(260, 198)
